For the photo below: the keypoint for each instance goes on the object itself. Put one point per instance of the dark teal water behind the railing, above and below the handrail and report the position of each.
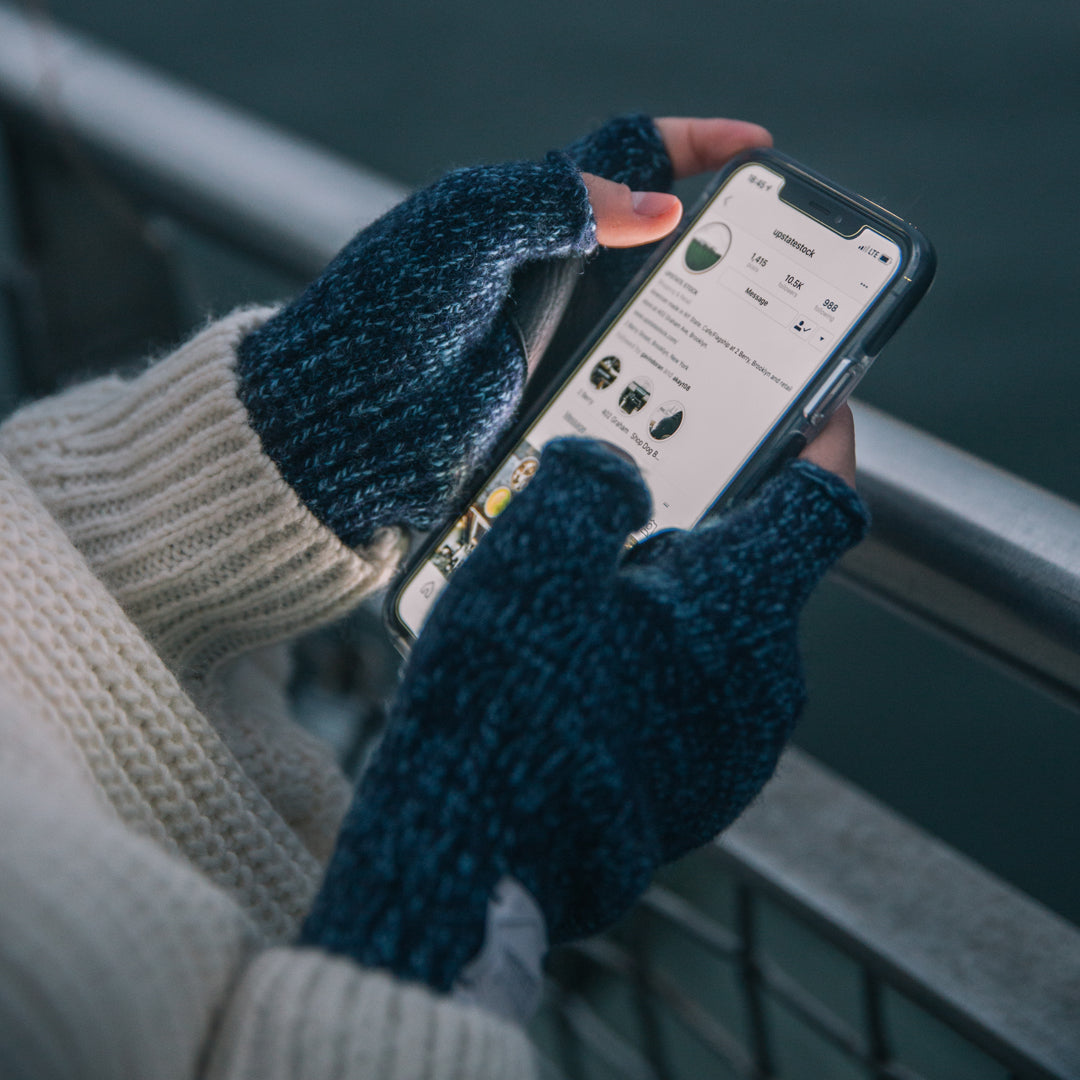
(963, 117)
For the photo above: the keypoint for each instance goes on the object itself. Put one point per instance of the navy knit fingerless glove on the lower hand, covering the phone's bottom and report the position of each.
(573, 717)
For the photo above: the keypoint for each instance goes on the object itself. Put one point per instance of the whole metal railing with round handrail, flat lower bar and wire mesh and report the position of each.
(974, 552)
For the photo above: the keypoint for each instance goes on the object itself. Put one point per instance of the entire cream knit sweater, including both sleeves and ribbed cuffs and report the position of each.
(163, 825)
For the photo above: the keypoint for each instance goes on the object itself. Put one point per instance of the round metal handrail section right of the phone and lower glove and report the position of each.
(974, 551)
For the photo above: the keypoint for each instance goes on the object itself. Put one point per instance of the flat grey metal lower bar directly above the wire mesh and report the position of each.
(976, 953)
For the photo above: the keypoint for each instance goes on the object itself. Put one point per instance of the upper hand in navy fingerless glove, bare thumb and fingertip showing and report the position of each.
(382, 389)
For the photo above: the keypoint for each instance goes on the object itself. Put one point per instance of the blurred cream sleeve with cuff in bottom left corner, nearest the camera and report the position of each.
(119, 961)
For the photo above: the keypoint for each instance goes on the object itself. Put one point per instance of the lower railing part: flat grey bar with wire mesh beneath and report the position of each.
(922, 929)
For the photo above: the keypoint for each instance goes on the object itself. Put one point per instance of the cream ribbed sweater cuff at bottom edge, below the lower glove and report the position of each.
(302, 1014)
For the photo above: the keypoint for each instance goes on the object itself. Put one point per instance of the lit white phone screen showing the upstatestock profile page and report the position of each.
(701, 366)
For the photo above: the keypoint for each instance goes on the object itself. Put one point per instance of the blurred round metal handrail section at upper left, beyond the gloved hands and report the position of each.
(234, 175)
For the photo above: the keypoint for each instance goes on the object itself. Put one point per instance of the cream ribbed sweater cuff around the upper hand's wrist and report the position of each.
(164, 487)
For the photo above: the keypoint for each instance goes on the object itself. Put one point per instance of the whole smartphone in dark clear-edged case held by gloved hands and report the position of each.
(724, 357)
